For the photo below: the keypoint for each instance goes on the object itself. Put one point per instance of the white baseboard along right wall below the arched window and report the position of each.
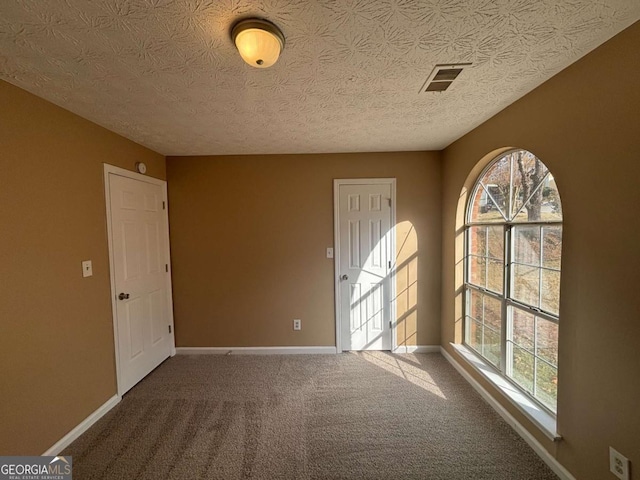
(537, 447)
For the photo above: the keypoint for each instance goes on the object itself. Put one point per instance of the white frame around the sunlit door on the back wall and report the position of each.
(336, 258)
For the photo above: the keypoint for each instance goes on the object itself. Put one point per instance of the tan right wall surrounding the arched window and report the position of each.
(583, 124)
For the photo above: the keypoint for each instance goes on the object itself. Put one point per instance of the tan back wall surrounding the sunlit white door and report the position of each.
(248, 241)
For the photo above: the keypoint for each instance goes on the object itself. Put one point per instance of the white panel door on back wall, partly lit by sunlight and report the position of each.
(363, 267)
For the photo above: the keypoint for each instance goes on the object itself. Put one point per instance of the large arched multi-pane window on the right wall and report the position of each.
(512, 278)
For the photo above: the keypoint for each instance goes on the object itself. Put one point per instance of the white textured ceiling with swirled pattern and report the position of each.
(166, 74)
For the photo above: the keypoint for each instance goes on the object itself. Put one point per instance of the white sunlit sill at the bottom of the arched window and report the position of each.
(545, 421)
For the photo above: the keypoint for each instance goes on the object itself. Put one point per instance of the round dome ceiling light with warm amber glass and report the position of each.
(258, 41)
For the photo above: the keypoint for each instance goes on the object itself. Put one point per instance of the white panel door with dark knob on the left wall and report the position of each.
(140, 278)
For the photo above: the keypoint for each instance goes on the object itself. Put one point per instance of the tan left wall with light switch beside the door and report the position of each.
(56, 329)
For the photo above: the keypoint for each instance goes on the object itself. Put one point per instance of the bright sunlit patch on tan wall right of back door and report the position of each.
(406, 277)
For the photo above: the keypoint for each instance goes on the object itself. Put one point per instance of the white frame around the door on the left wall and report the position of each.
(108, 170)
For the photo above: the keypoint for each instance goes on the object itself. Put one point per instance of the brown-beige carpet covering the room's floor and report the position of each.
(351, 416)
